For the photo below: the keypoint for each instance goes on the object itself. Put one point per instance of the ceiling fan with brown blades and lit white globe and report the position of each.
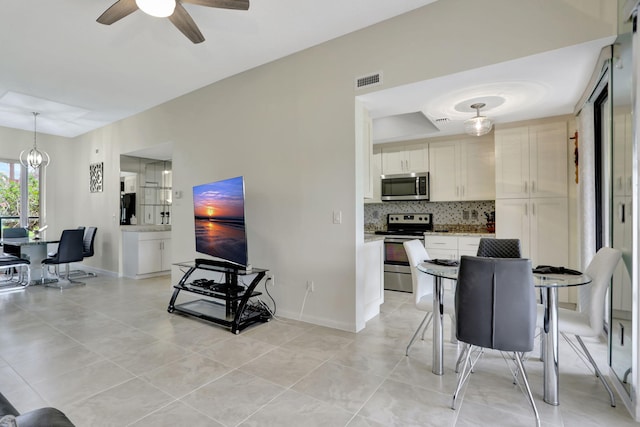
(171, 9)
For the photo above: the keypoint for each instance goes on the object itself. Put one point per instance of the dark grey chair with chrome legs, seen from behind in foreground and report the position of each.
(495, 309)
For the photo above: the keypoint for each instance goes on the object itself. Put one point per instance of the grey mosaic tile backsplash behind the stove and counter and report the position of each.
(468, 213)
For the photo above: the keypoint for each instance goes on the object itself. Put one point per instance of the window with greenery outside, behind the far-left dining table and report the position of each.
(19, 195)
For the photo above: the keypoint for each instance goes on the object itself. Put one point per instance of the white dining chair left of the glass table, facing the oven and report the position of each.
(422, 286)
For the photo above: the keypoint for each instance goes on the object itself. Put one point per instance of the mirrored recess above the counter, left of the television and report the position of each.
(145, 191)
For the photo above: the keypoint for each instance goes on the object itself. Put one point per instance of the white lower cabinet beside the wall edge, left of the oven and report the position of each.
(373, 278)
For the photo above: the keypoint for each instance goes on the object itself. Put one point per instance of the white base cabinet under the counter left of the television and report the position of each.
(146, 254)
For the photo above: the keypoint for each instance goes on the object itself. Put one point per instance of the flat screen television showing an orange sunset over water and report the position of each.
(219, 220)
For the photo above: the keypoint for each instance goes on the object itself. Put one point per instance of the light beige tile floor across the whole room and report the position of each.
(109, 354)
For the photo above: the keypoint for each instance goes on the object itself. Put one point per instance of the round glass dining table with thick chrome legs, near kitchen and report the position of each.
(549, 283)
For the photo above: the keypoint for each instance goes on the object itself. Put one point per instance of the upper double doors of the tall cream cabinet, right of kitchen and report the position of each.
(531, 161)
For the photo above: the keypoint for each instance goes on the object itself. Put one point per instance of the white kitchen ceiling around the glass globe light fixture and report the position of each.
(543, 85)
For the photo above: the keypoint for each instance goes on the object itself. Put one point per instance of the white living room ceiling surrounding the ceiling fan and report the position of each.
(81, 75)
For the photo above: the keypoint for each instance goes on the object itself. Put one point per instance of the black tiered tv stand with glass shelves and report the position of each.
(228, 301)
